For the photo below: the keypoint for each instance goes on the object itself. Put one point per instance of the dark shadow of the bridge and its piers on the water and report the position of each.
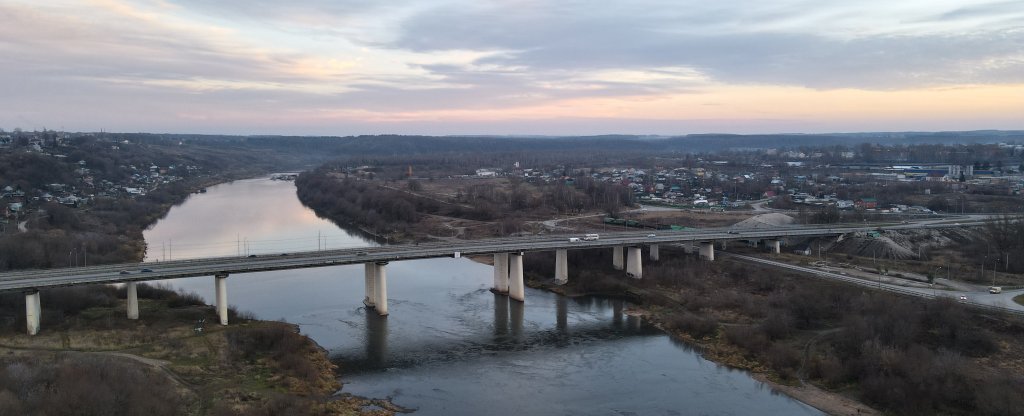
(508, 332)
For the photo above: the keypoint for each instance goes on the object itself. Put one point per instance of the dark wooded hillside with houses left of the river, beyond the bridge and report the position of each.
(107, 230)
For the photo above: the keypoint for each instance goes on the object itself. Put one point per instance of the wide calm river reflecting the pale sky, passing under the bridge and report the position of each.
(450, 347)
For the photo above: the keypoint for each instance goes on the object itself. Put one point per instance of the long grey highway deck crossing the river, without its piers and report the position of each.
(41, 279)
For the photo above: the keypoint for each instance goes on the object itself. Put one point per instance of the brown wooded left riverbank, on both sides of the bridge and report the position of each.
(90, 360)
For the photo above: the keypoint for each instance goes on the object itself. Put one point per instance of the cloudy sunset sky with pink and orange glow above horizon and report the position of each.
(511, 67)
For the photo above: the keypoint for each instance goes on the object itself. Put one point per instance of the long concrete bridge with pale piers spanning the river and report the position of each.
(508, 254)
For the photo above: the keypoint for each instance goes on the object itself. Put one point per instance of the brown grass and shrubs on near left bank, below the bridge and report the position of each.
(93, 361)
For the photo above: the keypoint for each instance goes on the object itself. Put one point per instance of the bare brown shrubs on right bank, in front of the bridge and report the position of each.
(904, 356)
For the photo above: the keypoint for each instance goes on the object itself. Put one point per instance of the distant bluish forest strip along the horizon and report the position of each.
(387, 145)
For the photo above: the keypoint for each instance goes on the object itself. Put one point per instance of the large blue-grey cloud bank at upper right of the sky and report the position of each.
(815, 54)
